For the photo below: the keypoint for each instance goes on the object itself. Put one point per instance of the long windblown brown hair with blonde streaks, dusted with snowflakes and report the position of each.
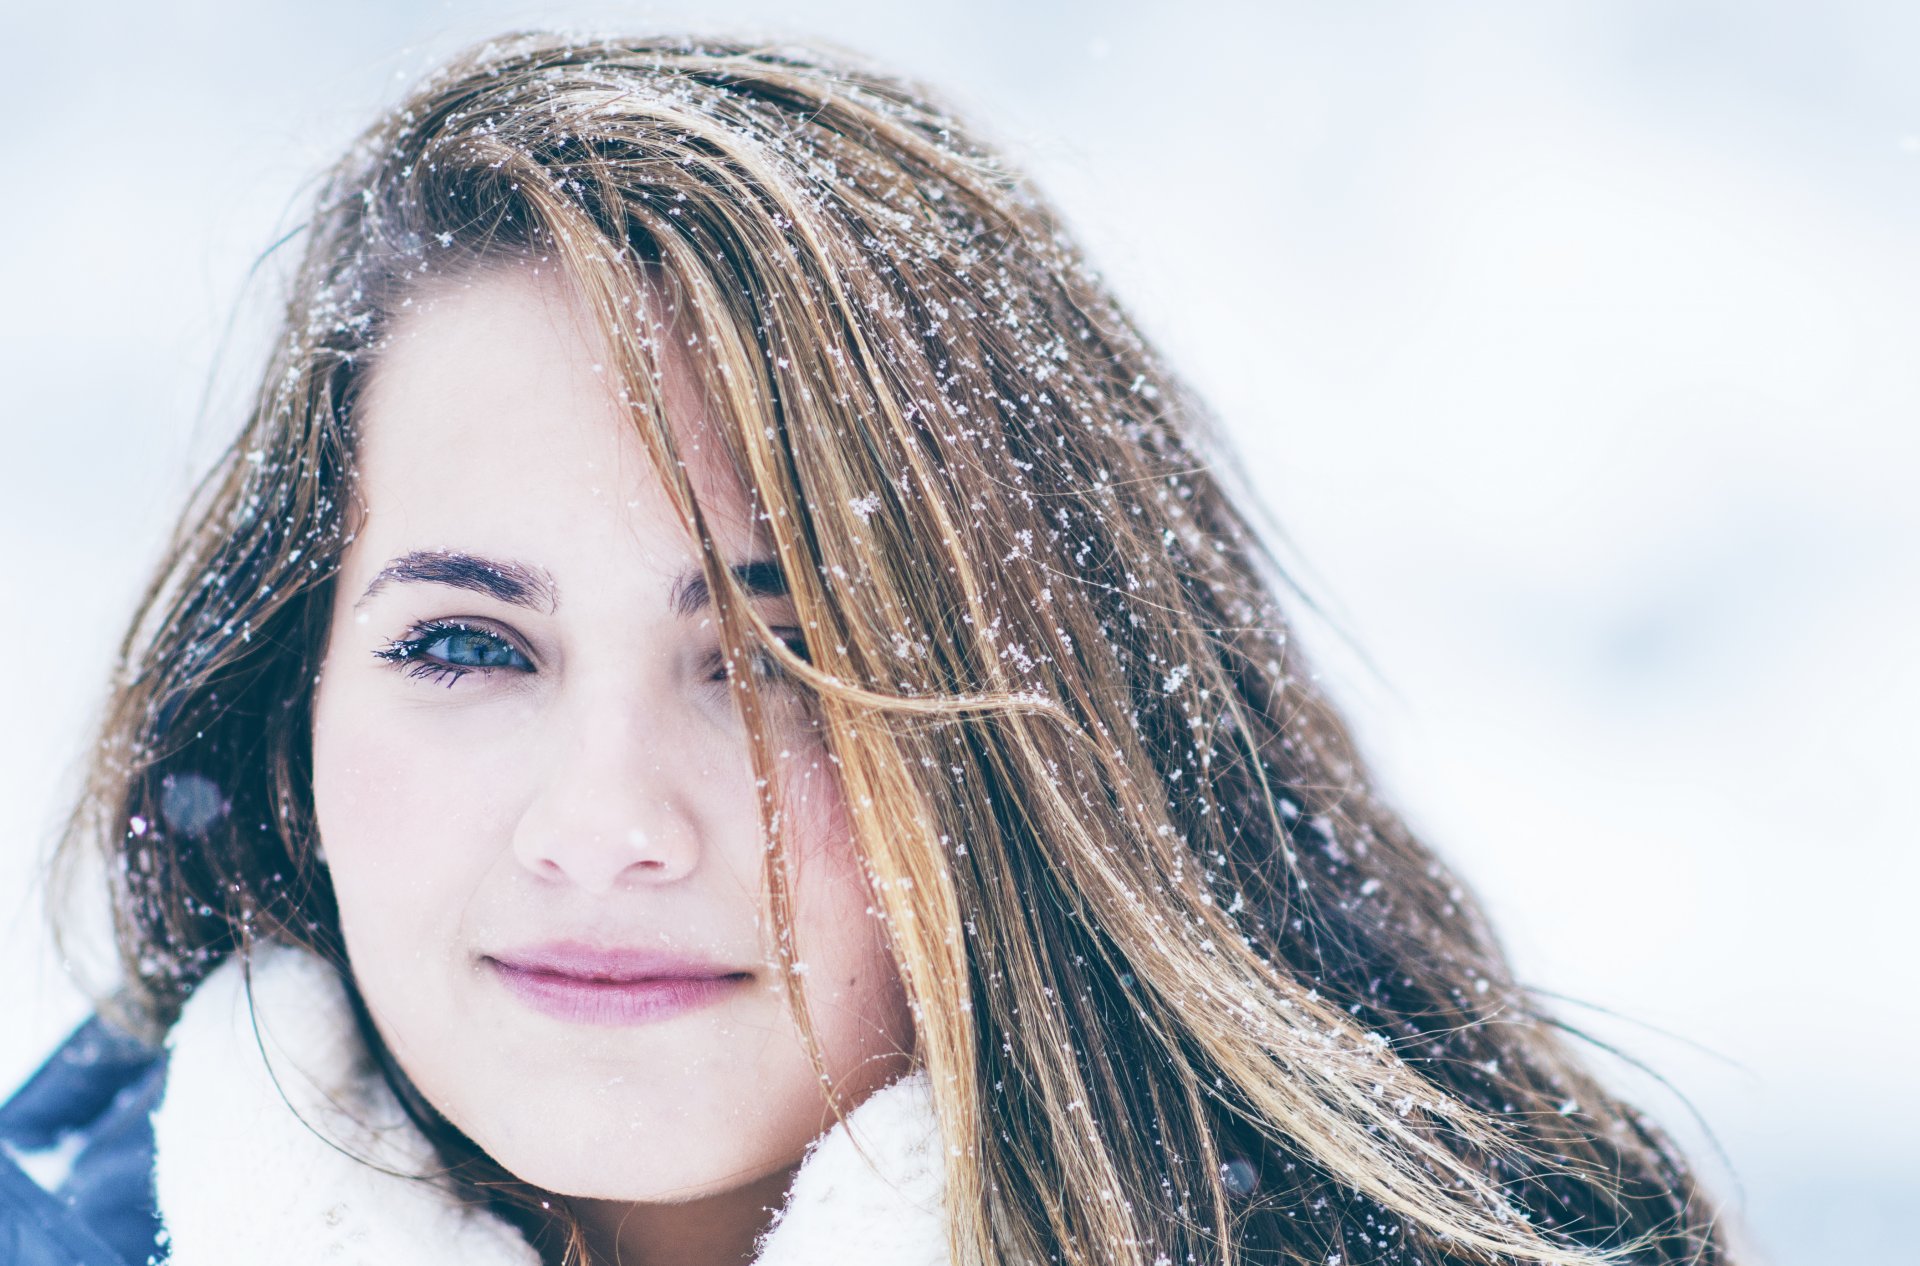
(1186, 988)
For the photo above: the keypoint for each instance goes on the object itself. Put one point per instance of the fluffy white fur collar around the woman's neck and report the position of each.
(245, 1181)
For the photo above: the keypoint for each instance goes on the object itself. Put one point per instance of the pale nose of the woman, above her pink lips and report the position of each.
(615, 806)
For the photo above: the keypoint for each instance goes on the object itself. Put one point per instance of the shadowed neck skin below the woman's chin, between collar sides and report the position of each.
(713, 1230)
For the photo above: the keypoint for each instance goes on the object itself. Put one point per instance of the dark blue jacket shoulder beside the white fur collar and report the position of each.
(82, 1127)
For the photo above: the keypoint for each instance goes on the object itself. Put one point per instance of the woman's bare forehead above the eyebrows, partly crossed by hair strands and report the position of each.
(494, 402)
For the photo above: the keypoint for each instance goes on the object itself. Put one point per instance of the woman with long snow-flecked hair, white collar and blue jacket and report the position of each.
(721, 710)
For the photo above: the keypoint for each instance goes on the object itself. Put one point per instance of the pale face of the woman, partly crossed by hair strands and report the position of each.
(535, 791)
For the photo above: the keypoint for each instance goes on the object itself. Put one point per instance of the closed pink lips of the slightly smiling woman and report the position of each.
(585, 985)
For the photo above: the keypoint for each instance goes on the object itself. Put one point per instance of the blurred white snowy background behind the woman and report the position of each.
(1573, 347)
